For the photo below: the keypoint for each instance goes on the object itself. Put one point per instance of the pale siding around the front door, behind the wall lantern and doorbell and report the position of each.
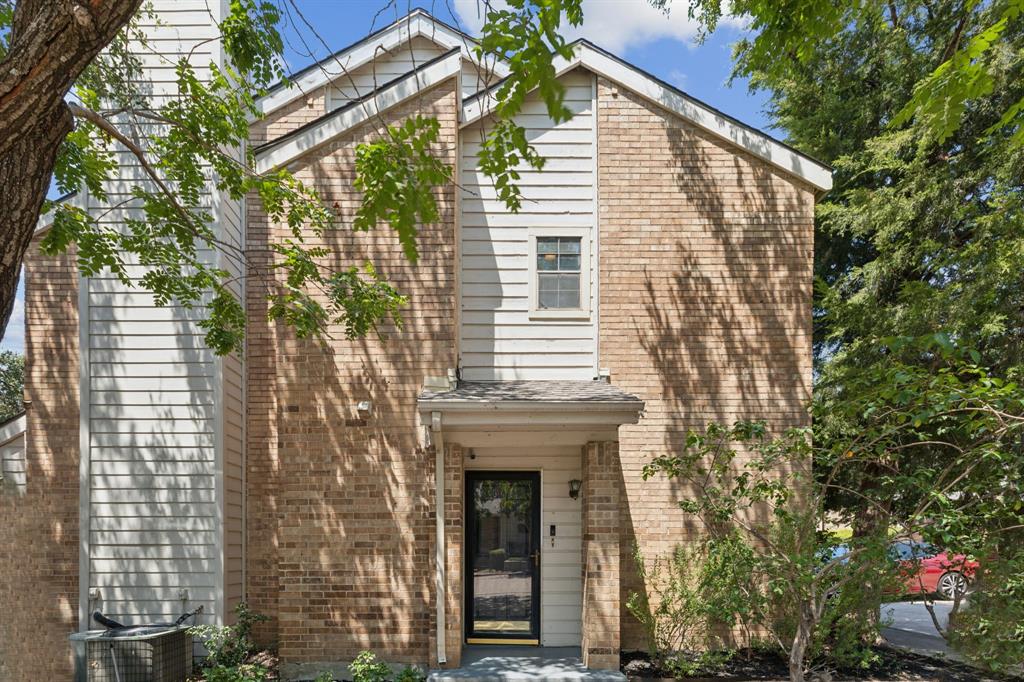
(562, 561)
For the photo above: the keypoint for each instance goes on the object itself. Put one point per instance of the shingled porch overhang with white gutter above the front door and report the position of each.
(531, 406)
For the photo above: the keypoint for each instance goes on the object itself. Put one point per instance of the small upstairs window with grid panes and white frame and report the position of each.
(560, 273)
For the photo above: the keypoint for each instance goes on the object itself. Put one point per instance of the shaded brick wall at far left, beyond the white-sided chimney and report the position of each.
(39, 530)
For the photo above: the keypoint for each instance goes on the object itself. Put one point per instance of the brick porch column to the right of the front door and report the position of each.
(602, 610)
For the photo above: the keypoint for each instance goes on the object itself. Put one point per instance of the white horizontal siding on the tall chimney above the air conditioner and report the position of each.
(154, 503)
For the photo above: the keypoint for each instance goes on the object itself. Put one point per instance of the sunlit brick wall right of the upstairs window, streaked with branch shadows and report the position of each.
(706, 261)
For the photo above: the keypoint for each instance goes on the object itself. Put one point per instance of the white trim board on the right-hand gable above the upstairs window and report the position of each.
(701, 115)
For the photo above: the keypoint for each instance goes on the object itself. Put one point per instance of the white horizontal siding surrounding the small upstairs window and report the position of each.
(499, 338)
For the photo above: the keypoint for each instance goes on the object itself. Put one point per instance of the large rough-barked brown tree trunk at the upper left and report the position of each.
(52, 44)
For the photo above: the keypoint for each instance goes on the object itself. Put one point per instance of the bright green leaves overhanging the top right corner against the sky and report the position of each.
(790, 35)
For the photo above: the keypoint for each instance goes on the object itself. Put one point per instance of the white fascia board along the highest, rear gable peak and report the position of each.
(417, 25)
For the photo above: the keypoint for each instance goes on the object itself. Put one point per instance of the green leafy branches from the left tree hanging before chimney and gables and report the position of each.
(167, 243)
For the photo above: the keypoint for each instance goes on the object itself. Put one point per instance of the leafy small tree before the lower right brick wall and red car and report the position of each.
(772, 494)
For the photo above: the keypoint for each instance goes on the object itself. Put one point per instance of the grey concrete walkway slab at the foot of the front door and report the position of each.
(524, 663)
